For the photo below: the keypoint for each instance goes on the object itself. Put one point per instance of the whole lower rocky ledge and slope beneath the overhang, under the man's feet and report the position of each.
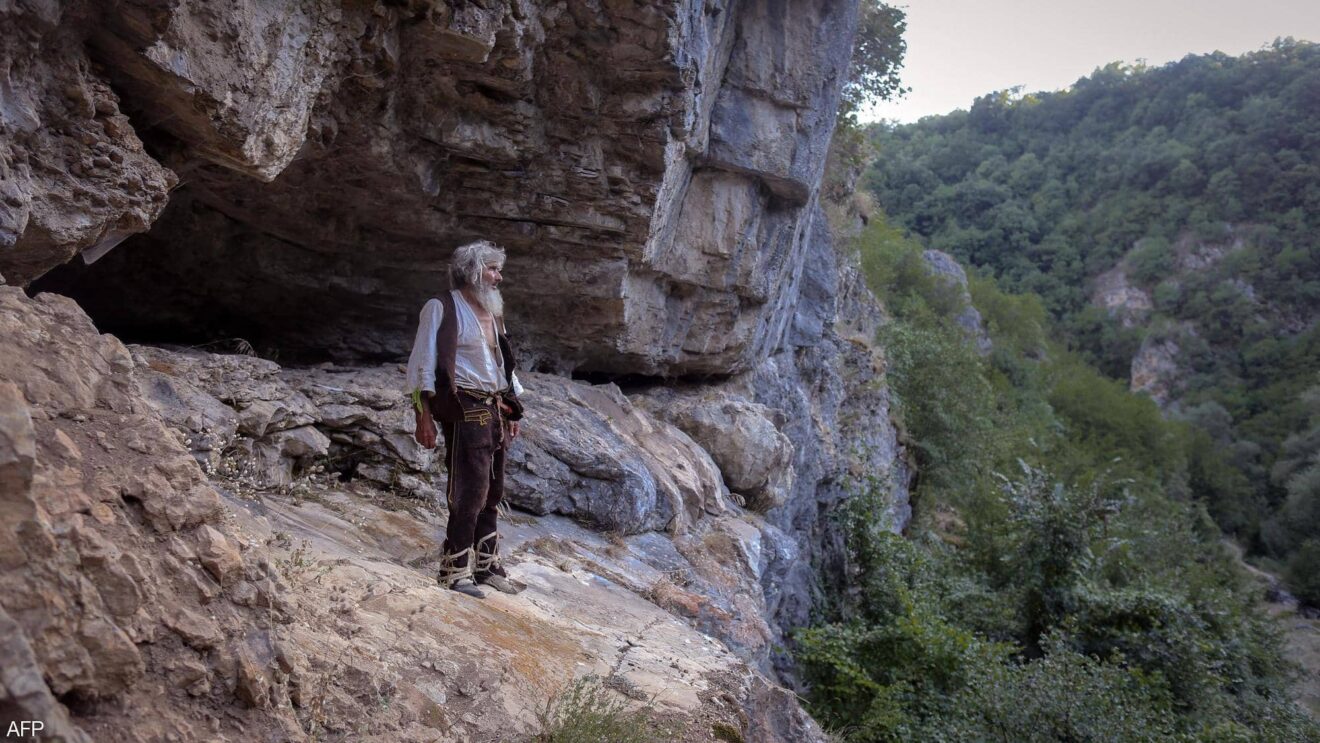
(261, 497)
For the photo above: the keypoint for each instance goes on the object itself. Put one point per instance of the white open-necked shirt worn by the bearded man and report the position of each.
(477, 366)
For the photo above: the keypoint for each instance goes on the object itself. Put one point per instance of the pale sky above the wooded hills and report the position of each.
(960, 49)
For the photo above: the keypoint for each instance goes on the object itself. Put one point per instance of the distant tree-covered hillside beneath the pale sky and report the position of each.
(1198, 185)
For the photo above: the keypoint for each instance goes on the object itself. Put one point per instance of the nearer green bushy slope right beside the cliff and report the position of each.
(1057, 584)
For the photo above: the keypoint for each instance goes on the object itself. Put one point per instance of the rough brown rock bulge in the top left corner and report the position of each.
(73, 175)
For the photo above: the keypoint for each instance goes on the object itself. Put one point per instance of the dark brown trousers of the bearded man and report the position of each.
(475, 453)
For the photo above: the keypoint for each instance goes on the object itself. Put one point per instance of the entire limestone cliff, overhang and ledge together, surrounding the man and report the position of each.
(200, 546)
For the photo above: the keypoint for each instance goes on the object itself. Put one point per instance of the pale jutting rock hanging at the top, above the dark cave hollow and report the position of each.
(211, 76)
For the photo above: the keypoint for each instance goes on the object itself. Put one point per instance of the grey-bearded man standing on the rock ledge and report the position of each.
(461, 377)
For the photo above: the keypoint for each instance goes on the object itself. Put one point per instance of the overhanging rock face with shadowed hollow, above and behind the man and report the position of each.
(649, 166)
